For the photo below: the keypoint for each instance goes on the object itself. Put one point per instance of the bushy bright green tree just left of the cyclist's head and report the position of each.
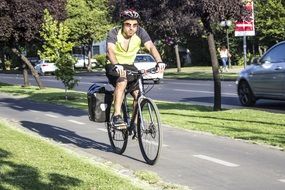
(88, 22)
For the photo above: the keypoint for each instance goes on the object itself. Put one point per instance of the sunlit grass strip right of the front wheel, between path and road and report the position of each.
(248, 124)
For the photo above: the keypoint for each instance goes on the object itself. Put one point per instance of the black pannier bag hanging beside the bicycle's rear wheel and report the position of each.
(99, 103)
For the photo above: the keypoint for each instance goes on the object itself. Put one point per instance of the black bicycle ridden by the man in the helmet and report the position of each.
(148, 129)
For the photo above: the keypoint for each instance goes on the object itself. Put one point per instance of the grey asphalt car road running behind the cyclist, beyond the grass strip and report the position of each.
(199, 92)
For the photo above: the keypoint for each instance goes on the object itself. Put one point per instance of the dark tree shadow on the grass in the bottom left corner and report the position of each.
(21, 176)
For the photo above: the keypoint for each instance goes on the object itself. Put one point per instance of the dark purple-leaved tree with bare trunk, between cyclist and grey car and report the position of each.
(182, 18)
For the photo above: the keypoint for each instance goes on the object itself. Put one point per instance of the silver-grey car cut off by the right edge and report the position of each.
(264, 78)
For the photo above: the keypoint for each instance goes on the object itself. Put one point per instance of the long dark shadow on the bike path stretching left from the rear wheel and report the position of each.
(65, 136)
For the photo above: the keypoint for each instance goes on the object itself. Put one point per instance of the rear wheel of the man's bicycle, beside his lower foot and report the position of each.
(118, 138)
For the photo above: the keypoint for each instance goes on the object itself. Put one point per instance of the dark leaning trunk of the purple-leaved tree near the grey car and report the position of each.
(216, 75)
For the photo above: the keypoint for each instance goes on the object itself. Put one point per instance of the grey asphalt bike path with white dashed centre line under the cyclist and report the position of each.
(198, 160)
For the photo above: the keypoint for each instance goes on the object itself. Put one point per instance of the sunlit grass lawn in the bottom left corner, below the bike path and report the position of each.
(28, 162)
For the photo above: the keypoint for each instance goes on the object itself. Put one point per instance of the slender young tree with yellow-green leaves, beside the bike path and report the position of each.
(57, 48)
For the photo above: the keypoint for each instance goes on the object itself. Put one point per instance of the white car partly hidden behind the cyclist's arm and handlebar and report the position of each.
(146, 61)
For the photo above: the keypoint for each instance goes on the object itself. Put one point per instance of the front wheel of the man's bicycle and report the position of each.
(149, 131)
